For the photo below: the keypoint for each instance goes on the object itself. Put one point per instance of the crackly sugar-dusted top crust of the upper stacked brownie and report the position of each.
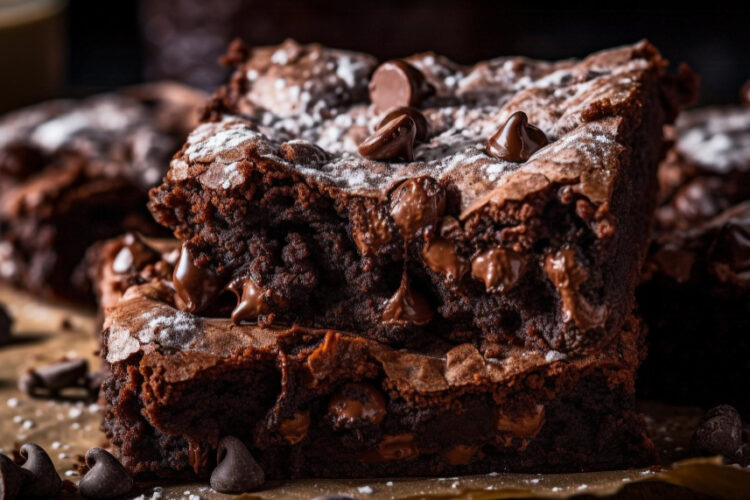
(283, 98)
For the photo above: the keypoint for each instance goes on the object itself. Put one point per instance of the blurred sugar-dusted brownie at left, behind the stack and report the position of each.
(74, 172)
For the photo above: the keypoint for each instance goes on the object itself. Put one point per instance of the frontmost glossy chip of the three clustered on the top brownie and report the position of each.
(394, 141)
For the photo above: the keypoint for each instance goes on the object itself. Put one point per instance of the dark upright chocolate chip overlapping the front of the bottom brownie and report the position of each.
(236, 470)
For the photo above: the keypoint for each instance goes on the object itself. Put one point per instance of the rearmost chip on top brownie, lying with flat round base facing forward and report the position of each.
(398, 83)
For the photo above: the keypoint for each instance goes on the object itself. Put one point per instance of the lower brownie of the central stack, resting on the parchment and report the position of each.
(324, 403)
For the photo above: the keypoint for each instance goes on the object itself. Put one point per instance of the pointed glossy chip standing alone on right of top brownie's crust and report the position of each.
(516, 140)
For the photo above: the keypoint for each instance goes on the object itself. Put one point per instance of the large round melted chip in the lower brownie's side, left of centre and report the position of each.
(355, 405)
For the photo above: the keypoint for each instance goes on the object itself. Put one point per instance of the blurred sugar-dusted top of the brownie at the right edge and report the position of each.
(715, 139)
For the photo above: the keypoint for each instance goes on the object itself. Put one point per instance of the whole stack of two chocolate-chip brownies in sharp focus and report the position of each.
(408, 268)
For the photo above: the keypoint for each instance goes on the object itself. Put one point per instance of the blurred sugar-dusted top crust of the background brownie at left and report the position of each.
(131, 134)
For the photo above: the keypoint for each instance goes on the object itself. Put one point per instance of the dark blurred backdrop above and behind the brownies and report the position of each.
(118, 42)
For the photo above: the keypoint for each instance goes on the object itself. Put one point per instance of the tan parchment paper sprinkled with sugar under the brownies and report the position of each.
(67, 428)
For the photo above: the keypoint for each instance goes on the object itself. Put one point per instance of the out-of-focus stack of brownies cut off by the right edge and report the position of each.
(695, 297)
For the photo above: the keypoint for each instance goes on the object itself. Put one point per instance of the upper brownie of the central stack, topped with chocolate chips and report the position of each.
(512, 207)
